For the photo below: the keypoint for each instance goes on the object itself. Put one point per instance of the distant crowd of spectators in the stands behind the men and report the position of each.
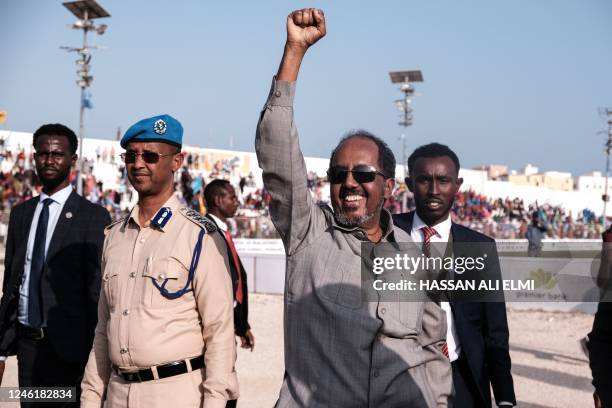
(501, 218)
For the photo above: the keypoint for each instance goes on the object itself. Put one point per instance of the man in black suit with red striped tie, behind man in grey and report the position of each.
(477, 337)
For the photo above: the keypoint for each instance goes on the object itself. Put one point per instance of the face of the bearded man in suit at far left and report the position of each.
(53, 159)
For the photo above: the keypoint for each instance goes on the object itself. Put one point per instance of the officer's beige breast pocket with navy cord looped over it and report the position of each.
(165, 283)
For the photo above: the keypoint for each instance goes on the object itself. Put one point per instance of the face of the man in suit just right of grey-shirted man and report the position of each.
(434, 183)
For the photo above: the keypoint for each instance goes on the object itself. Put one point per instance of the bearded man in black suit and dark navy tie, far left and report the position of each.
(51, 285)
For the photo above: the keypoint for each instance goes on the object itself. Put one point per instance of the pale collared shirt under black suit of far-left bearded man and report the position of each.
(55, 209)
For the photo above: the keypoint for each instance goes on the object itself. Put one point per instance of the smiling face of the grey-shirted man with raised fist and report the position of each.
(354, 200)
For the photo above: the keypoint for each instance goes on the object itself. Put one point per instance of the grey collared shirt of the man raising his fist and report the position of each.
(340, 350)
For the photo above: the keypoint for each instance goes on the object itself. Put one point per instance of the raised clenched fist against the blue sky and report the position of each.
(305, 27)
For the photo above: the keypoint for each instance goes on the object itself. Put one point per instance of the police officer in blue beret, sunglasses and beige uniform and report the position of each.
(165, 335)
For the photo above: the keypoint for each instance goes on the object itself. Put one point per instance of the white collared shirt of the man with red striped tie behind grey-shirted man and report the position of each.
(443, 230)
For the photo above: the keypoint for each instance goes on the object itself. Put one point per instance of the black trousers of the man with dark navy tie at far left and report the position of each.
(40, 366)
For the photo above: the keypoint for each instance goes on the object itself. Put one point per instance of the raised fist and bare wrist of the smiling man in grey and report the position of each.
(304, 28)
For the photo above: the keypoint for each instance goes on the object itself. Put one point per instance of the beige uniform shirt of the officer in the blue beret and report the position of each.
(139, 328)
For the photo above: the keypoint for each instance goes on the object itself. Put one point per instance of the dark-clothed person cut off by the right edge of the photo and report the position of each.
(600, 338)
